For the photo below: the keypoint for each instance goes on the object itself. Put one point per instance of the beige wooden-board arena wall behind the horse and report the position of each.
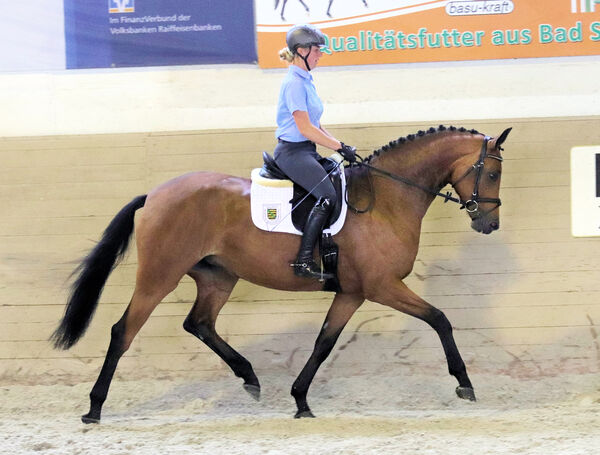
(523, 301)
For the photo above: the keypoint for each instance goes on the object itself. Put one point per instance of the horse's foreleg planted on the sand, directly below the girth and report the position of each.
(342, 309)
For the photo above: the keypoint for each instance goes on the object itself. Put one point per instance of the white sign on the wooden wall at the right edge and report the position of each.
(585, 191)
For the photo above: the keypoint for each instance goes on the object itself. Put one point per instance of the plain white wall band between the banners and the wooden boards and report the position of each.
(240, 96)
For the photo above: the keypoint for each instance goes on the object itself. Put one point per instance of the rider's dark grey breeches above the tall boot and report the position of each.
(299, 160)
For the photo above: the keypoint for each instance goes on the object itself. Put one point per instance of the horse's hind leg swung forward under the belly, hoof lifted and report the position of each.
(214, 287)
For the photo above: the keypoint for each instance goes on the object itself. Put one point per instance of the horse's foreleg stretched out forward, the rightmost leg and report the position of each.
(406, 301)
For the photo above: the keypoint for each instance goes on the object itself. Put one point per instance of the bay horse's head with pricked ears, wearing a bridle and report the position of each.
(479, 185)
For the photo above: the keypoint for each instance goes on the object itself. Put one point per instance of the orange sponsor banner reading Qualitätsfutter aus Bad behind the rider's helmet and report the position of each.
(395, 31)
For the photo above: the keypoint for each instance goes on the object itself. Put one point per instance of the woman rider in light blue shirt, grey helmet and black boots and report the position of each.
(298, 130)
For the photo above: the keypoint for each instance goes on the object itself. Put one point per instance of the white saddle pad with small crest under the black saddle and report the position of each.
(271, 207)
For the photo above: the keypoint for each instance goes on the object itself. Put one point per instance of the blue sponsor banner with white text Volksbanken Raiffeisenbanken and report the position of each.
(116, 33)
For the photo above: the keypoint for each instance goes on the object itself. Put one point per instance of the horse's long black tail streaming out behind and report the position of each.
(93, 273)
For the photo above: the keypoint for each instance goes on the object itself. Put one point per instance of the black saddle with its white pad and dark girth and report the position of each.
(273, 195)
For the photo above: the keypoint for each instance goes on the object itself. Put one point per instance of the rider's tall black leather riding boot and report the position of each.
(305, 264)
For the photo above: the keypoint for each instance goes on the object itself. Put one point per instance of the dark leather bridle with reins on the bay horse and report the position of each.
(471, 205)
